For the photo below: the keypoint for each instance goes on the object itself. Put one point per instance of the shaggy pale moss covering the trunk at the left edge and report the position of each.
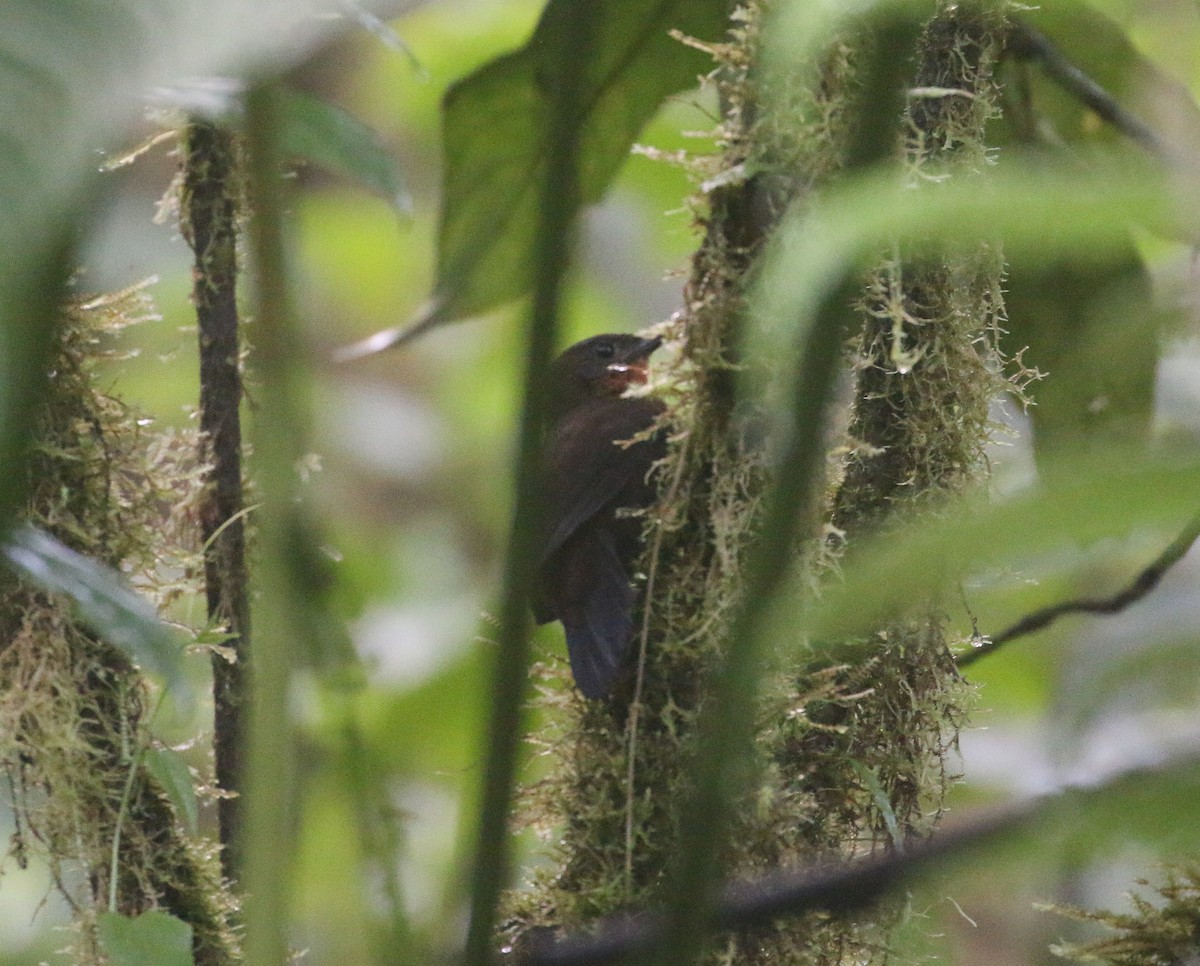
(73, 709)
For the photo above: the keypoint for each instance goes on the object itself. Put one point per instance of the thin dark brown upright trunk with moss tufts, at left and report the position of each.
(211, 219)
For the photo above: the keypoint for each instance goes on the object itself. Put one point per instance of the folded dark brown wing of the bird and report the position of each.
(586, 470)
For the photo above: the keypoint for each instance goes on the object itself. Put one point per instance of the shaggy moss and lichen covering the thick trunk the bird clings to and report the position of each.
(849, 755)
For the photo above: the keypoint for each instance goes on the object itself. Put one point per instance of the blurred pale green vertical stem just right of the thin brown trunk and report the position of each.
(268, 839)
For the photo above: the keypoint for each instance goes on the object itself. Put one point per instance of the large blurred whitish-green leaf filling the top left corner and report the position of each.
(74, 74)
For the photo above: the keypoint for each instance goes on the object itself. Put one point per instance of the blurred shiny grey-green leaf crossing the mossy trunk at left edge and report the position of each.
(104, 601)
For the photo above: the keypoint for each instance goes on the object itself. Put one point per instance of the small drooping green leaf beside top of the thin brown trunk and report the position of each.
(335, 140)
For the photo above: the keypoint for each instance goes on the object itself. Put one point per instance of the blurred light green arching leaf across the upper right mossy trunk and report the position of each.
(1035, 211)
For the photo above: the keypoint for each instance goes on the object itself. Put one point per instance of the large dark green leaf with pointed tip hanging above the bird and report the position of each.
(495, 139)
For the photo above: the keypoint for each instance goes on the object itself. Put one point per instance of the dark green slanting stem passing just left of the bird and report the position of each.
(559, 202)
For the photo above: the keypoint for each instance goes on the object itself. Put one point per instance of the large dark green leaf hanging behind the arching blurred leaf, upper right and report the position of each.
(1090, 323)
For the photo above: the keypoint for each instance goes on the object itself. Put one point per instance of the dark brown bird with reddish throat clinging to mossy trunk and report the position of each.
(587, 548)
